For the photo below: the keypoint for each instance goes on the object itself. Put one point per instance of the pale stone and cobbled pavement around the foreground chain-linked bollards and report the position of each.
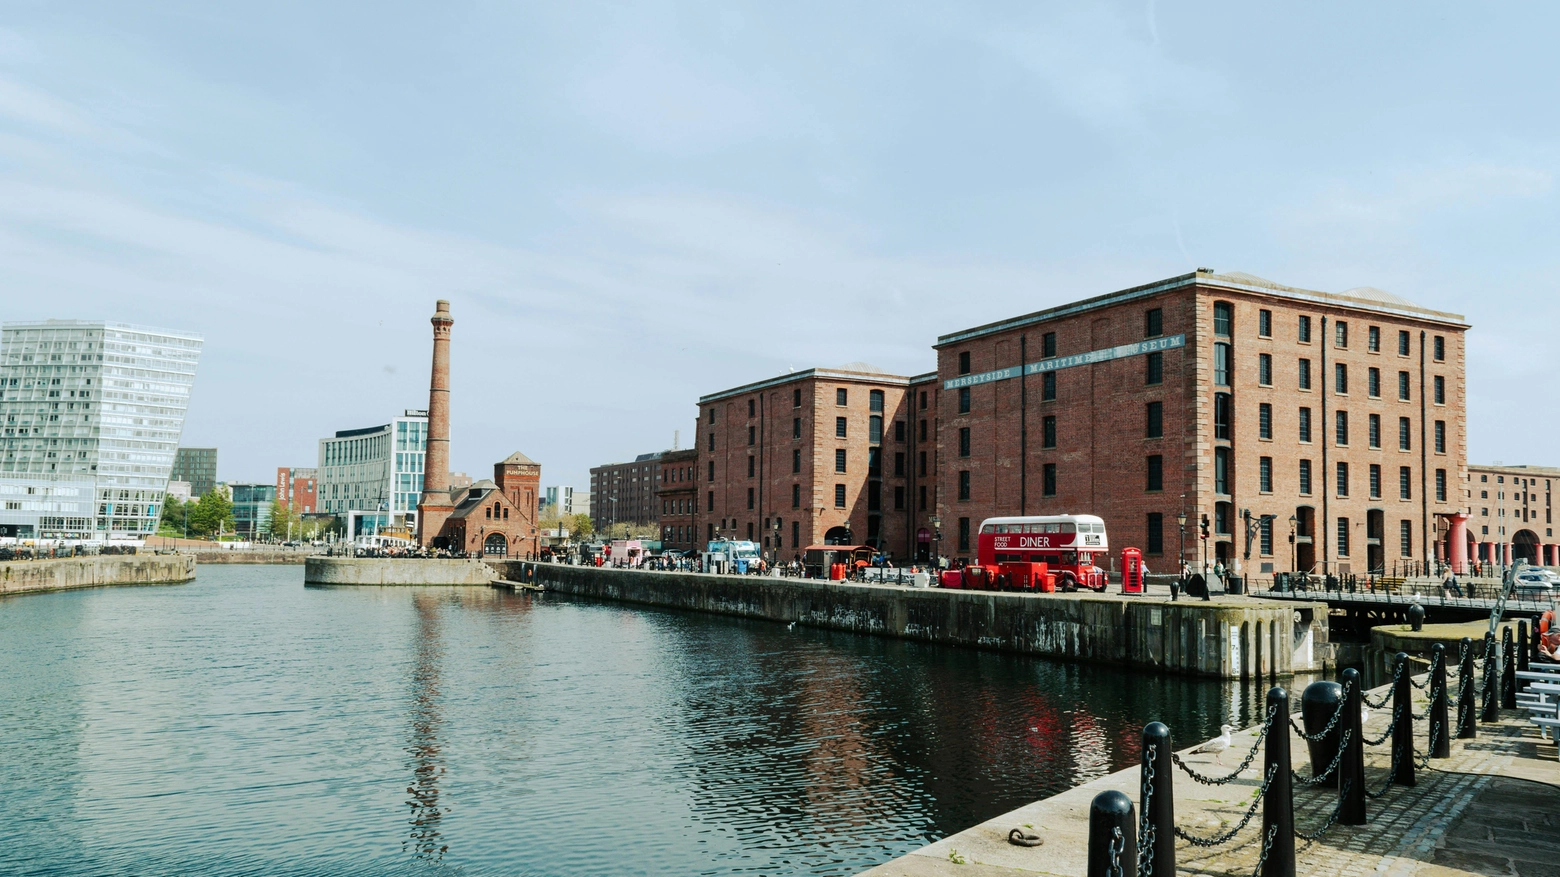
(1492, 808)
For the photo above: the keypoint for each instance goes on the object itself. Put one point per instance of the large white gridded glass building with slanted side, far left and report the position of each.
(90, 422)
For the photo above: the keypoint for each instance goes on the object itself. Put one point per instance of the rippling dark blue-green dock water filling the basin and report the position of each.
(406, 731)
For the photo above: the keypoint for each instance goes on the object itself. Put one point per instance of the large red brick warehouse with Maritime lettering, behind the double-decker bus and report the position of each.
(1221, 396)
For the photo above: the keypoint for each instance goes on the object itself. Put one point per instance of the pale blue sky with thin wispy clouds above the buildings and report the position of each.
(634, 205)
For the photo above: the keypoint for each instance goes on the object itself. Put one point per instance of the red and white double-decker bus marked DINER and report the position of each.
(1069, 547)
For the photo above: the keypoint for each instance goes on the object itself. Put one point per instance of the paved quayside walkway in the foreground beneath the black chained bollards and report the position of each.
(1487, 808)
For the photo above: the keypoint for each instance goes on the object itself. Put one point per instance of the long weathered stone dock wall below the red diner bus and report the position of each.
(1230, 639)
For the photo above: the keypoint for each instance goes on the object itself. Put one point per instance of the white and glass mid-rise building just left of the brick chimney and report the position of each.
(374, 478)
